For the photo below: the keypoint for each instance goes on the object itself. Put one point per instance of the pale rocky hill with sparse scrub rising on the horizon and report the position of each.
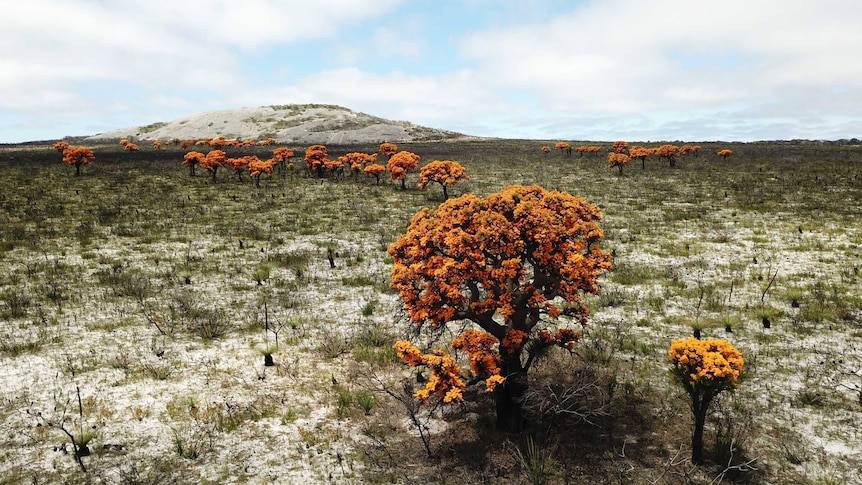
(292, 123)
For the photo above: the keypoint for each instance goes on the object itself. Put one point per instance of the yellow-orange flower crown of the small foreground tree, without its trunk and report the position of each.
(705, 365)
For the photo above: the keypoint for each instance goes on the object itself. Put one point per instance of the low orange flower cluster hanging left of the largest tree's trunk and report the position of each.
(445, 380)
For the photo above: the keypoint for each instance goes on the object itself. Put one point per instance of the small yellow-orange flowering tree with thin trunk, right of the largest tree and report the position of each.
(704, 368)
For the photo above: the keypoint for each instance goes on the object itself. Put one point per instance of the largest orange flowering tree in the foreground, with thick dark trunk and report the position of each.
(514, 264)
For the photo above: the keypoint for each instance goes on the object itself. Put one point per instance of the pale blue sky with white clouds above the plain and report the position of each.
(603, 70)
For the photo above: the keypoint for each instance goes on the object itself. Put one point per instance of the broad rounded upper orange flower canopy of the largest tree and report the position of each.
(516, 252)
